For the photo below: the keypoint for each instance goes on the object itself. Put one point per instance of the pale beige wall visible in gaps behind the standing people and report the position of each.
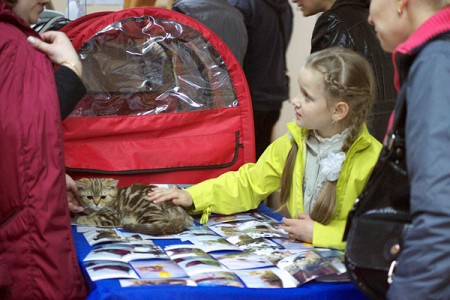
(298, 50)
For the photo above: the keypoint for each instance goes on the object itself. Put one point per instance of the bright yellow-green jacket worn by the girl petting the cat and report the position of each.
(245, 188)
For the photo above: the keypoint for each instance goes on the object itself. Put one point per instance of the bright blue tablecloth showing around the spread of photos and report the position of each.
(111, 289)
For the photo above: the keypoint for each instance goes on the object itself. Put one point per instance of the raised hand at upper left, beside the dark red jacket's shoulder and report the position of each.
(59, 49)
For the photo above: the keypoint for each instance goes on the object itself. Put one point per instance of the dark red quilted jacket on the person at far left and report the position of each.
(37, 256)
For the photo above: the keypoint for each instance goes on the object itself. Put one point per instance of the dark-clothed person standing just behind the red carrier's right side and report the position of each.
(269, 27)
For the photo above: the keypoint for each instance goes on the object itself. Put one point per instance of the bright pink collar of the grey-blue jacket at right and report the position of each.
(431, 28)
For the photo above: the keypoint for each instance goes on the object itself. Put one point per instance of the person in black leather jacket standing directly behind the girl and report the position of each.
(344, 23)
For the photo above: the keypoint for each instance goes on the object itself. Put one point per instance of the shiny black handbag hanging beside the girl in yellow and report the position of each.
(380, 216)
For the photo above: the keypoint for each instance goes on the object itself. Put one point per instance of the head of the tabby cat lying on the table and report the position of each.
(96, 193)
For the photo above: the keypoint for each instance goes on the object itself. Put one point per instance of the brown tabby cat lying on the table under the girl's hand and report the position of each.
(126, 207)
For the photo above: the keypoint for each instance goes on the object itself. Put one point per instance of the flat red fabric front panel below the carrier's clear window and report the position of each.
(154, 143)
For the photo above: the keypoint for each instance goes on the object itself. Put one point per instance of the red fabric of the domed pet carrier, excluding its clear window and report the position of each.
(194, 139)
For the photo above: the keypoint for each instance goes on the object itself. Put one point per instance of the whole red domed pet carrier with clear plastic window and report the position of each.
(167, 101)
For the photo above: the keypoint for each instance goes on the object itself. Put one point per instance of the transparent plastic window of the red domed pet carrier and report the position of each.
(147, 65)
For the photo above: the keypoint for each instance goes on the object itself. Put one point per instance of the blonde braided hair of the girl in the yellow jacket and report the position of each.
(348, 77)
